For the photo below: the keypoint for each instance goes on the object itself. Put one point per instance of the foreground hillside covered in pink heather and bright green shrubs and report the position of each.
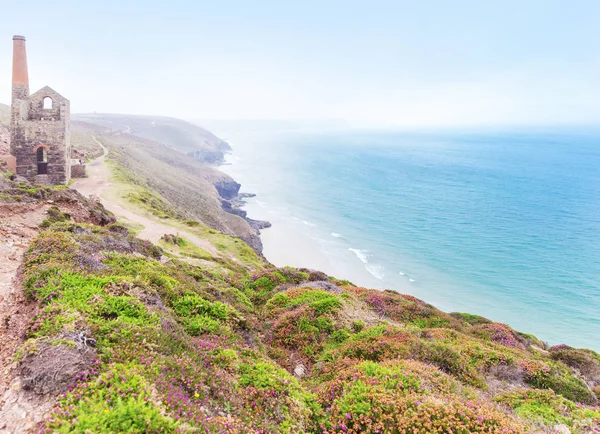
(149, 341)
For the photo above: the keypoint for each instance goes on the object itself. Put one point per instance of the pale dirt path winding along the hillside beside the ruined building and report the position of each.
(95, 185)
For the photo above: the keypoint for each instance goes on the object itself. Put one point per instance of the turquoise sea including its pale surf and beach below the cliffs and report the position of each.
(505, 224)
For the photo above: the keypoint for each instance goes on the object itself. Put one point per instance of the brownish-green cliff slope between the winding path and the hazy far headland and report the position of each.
(181, 186)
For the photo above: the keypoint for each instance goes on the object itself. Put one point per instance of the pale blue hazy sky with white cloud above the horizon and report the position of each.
(395, 62)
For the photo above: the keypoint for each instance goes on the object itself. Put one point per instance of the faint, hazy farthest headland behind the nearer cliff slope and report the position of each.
(175, 133)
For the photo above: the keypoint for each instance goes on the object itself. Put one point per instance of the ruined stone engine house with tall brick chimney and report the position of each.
(40, 137)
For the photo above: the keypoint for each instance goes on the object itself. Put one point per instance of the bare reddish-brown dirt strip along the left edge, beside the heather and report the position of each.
(20, 411)
